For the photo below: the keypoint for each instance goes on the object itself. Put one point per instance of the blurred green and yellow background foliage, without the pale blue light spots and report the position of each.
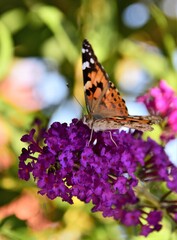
(55, 30)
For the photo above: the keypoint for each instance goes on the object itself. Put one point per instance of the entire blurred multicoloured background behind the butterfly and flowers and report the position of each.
(41, 76)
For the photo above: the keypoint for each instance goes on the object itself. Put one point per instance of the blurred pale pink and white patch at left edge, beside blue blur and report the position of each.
(18, 87)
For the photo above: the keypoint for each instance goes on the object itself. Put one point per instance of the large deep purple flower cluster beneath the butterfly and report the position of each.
(114, 177)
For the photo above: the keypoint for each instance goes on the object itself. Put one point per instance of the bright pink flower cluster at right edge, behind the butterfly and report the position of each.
(162, 100)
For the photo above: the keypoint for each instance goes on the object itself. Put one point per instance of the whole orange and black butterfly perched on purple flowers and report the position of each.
(106, 108)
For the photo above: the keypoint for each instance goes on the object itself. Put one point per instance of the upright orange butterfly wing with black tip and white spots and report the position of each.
(102, 97)
